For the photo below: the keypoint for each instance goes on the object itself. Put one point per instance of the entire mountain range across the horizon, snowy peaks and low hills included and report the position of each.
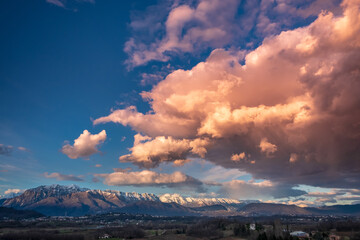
(57, 200)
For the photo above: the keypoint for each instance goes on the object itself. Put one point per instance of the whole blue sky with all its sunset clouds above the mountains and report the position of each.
(251, 100)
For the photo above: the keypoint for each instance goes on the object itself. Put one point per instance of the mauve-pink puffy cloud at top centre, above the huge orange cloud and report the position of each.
(186, 27)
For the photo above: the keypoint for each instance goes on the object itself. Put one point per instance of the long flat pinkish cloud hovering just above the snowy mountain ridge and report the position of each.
(149, 178)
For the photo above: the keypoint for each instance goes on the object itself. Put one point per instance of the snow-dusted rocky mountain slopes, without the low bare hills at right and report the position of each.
(66, 196)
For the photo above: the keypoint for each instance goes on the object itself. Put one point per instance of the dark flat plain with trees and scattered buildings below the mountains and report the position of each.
(124, 226)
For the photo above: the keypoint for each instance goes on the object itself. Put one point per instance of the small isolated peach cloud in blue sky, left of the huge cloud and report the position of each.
(85, 145)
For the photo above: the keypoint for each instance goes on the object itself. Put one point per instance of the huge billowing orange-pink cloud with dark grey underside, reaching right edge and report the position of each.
(298, 90)
